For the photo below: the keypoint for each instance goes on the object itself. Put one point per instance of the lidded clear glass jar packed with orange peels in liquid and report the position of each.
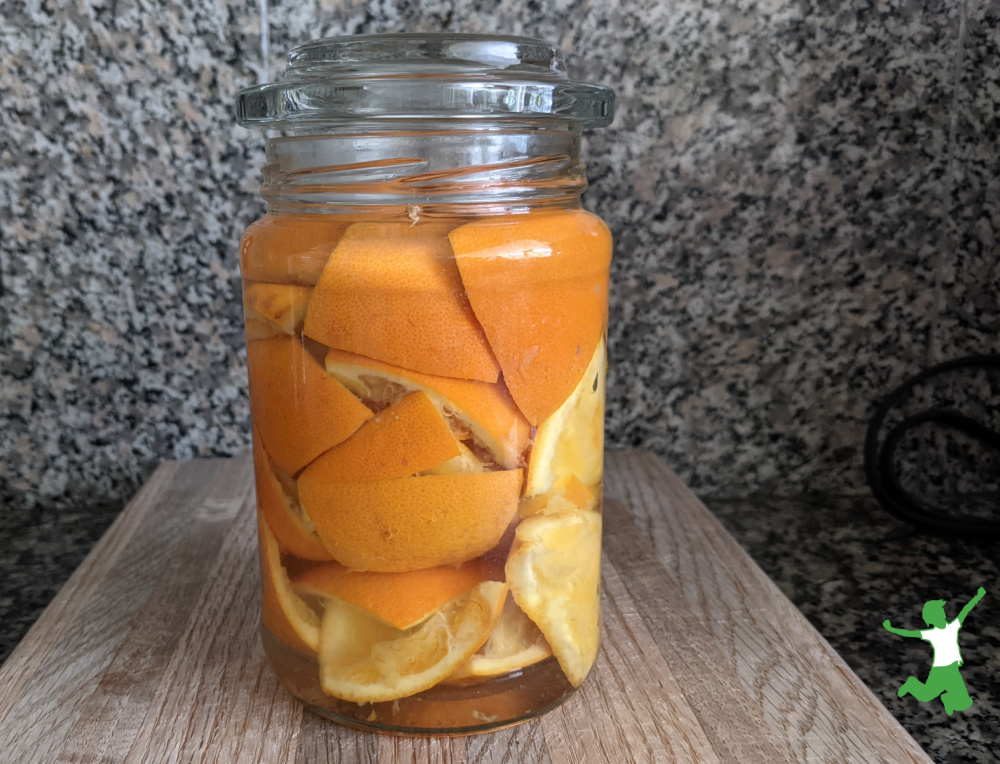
(426, 311)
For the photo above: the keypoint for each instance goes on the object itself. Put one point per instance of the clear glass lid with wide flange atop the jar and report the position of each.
(460, 77)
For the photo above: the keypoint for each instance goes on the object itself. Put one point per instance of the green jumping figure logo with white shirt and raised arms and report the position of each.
(944, 679)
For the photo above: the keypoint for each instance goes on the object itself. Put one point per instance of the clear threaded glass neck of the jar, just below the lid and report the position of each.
(440, 171)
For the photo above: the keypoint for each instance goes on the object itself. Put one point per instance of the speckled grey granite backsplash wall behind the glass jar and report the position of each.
(805, 198)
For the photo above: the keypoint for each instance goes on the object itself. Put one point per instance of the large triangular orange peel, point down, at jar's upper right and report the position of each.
(538, 286)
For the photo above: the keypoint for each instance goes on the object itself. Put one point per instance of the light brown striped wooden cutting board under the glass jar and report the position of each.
(150, 653)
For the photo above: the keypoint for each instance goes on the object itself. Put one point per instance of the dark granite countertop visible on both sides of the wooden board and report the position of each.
(844, 562)
